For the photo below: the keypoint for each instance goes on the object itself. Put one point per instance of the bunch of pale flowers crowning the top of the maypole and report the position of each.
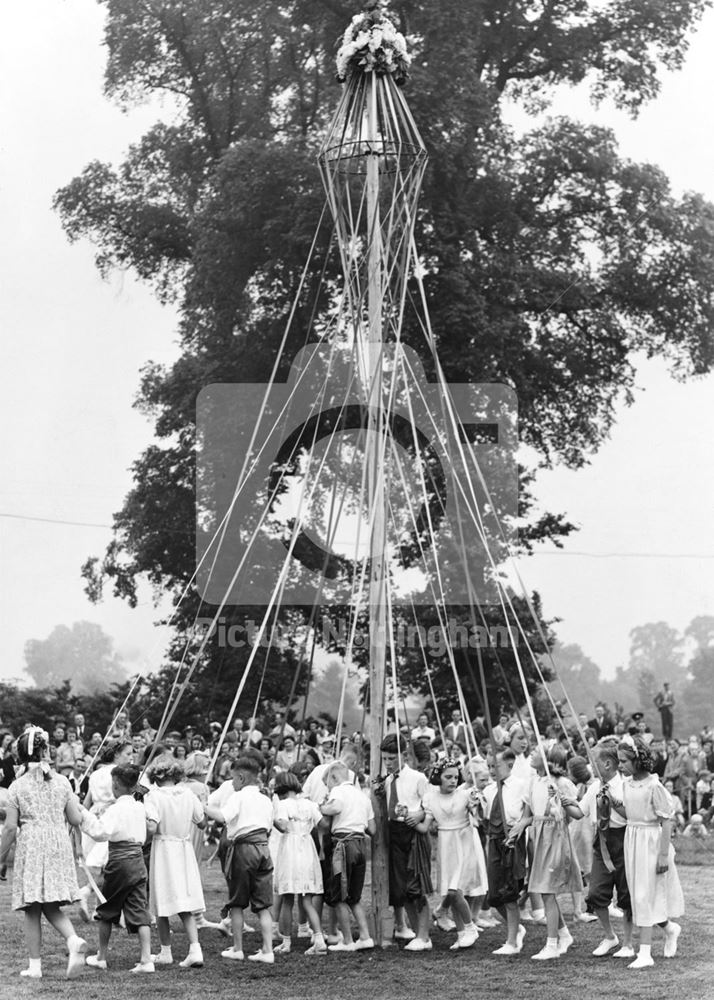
(372, 44)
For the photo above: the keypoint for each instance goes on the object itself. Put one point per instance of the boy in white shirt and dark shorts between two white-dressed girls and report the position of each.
(248, 815)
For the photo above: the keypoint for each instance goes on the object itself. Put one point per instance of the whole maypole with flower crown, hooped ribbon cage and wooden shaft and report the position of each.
(372, 163)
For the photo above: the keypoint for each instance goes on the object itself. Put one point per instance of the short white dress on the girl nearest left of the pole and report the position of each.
(297, 866)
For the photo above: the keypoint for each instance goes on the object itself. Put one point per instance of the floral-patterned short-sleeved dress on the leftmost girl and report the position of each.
(44, 869)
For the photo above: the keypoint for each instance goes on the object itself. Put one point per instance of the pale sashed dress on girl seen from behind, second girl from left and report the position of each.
(174, 878)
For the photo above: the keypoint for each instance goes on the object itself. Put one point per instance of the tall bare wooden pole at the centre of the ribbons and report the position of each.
(377, 507)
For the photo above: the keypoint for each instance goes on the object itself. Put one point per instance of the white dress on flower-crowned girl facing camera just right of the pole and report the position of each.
(461, 860)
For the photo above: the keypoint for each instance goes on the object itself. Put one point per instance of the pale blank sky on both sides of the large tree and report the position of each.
(72, 346)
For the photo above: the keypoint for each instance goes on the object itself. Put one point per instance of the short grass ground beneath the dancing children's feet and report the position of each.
(437, 974)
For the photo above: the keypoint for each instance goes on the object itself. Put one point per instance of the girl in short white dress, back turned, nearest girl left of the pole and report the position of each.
(297, 866)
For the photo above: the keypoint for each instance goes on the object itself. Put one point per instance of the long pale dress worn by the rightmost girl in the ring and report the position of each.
(655, 898)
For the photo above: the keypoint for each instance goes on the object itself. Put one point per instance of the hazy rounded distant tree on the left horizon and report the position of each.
(83, 655)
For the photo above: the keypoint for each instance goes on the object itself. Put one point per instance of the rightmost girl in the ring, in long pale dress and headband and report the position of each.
(649, 854)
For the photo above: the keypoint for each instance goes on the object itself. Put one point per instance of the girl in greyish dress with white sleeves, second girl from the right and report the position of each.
(554, 867)
